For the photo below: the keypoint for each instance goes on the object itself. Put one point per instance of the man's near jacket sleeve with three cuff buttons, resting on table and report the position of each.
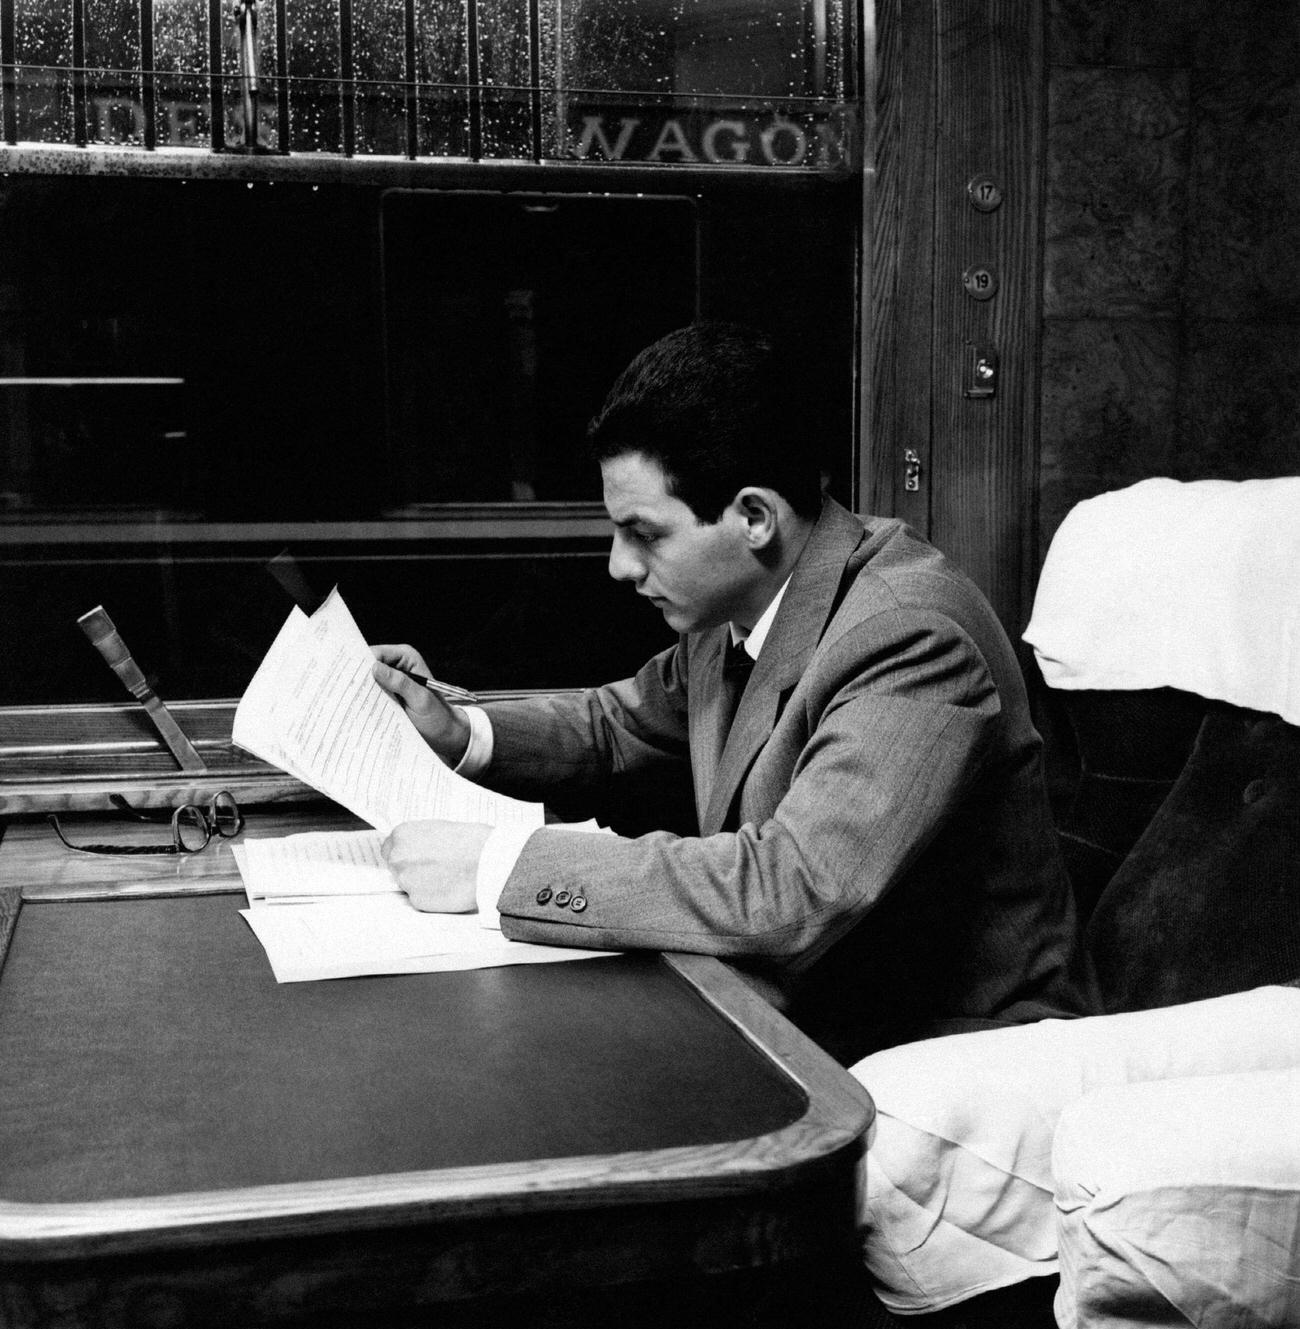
(885, 734)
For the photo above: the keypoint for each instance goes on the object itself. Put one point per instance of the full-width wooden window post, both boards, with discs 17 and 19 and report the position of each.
(960, 95)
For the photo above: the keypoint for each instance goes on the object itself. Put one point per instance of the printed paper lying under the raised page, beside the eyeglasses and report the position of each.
(314, 866)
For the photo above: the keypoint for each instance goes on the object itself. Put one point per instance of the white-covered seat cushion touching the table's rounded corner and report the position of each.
(958, 1190)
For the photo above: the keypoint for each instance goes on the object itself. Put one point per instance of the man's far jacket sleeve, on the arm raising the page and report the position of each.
(619, 753)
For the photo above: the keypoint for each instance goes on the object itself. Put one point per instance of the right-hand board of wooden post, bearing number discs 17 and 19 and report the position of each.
(991, 108)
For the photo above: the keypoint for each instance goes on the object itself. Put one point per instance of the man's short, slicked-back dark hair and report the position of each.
(714, 407)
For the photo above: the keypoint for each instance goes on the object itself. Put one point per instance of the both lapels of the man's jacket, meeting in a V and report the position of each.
(724, 758)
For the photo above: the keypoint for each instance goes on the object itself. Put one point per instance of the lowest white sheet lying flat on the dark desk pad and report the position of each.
(385, 935)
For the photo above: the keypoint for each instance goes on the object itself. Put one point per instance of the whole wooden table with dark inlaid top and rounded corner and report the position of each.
(185, 1142)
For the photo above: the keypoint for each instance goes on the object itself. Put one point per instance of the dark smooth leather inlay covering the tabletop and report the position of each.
(146, 1049)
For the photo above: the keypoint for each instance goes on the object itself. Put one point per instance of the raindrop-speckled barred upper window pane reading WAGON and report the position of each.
(720, 83)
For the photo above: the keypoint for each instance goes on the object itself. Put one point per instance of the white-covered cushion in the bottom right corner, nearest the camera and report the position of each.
(1172, 1213)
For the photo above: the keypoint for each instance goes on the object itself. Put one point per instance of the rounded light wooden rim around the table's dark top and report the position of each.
(833, 1130)
